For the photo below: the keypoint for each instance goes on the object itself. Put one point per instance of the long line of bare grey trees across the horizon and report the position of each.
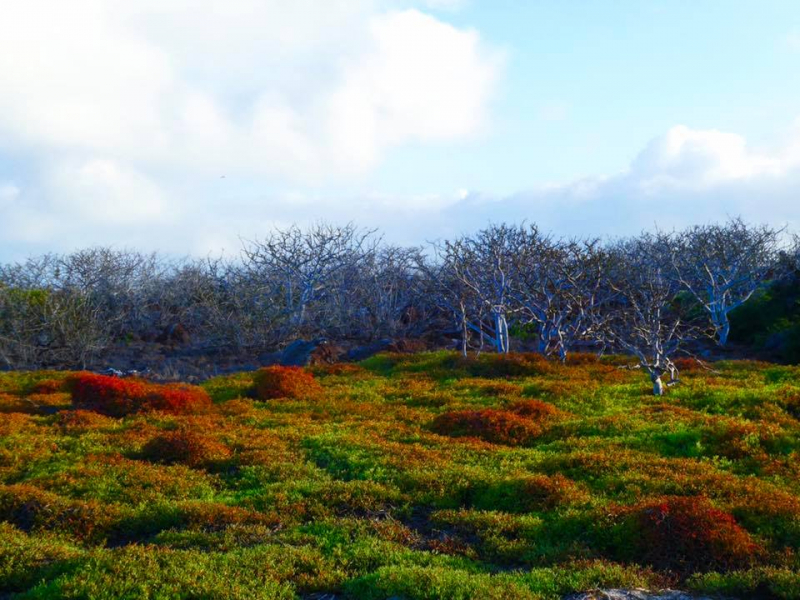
(650, 296)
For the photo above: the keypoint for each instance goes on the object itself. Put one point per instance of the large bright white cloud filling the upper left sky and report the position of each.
(300, 91)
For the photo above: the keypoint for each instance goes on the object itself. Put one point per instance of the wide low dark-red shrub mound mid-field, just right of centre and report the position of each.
(496, 426)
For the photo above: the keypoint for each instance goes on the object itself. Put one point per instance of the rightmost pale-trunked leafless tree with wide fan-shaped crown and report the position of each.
(723, 265)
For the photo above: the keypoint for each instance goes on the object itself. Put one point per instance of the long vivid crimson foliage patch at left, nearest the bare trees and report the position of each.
(117, 397)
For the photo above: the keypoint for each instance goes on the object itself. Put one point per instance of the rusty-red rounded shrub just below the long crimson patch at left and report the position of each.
(185, 447)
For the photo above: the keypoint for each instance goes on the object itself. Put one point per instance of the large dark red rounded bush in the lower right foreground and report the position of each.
(688, 534)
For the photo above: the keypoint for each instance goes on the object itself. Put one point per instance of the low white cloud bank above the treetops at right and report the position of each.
(682, 177)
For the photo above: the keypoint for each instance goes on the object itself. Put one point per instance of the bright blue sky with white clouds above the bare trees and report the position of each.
(186, 126)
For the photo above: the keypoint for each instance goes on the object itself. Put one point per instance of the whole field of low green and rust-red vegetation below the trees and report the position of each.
(406, 476)
